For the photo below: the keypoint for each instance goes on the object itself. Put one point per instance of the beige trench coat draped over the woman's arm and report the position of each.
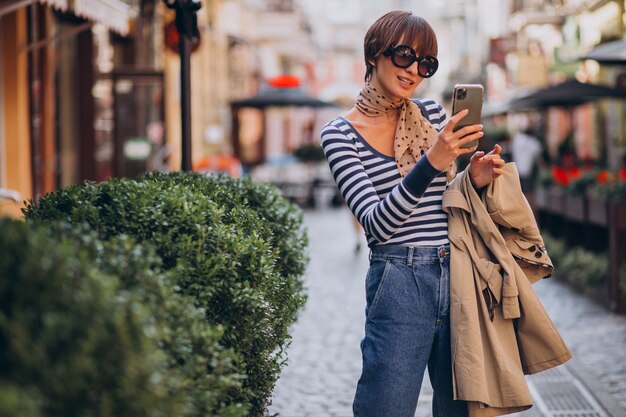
(499, 328)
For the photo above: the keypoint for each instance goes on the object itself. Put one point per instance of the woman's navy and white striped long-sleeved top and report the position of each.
(392, 210)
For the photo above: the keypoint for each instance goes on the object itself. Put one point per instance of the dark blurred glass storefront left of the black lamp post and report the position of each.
(109, 114)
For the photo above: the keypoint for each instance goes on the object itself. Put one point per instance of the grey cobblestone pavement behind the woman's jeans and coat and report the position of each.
(324, 358)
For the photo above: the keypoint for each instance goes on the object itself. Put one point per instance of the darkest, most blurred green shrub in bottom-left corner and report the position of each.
(72, 341)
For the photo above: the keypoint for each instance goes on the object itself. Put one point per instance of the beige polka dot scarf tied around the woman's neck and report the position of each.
(414, 133)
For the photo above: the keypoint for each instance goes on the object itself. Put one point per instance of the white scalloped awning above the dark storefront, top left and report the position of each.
(114, 14)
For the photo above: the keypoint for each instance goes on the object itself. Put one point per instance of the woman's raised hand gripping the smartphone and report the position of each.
(449, 144)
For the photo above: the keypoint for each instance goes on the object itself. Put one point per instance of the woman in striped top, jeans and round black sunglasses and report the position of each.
(391, 158)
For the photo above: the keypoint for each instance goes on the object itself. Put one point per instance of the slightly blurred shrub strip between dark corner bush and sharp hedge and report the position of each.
(201, 377)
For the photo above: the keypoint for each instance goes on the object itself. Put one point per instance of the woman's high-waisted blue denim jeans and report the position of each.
(407, 329)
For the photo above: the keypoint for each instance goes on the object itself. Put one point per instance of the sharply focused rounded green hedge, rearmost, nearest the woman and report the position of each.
(235, 246)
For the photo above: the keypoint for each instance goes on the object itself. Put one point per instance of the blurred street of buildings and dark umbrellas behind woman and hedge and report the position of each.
(94, 89)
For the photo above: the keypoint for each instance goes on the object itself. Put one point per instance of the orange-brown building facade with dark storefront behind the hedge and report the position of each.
(68, 73)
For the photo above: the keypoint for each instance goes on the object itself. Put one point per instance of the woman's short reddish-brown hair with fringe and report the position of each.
(394, 27)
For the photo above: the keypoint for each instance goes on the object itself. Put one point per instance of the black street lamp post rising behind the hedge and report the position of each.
(187, 27)
